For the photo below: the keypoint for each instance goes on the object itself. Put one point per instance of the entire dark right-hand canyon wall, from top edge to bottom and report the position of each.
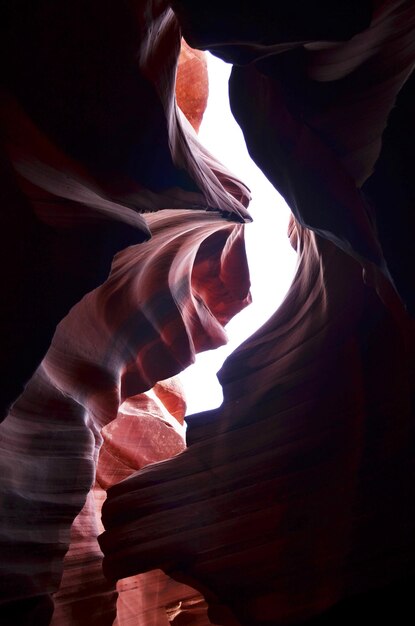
(295, 500)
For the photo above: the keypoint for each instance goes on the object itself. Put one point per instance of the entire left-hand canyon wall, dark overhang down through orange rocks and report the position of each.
(92, 138)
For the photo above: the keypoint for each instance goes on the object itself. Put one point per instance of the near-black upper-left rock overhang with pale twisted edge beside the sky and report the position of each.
(91, 138)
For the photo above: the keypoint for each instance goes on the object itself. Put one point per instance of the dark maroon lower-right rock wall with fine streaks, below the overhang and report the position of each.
(298, 492)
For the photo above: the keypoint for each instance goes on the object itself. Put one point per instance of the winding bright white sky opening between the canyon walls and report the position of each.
(271, 259)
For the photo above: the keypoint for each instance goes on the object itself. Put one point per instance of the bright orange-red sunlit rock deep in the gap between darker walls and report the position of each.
(143, 432)
